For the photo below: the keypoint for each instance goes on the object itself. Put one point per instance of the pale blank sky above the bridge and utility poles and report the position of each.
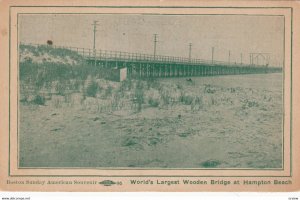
(239, 34)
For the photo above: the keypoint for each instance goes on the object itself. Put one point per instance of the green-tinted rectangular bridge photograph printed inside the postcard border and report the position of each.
(150, 91)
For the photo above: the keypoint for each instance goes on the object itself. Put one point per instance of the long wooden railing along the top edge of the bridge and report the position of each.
(128, 56)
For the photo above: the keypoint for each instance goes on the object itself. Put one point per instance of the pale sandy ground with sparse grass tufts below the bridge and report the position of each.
(237, 125)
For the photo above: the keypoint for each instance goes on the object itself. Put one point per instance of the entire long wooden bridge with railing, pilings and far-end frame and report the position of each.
(138, 65)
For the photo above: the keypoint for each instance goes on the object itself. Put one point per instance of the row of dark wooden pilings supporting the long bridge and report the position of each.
(165, 70)
